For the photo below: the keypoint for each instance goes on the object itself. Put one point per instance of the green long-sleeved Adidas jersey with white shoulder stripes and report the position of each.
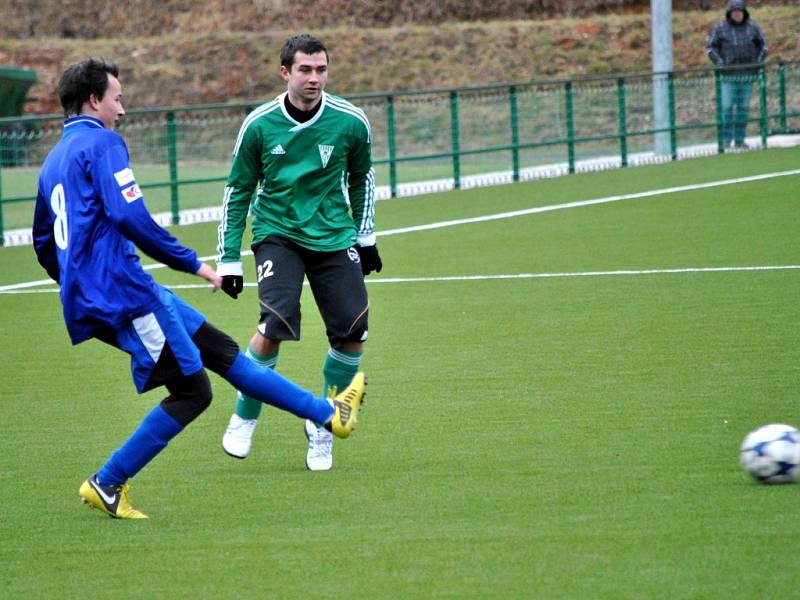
(303, 175)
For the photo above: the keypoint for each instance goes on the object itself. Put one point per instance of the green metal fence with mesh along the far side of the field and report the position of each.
(432, 140)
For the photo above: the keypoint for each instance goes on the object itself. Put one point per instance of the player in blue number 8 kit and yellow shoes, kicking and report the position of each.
(90, 215)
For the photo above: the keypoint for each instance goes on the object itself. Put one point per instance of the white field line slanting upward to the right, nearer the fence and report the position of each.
(505, 215)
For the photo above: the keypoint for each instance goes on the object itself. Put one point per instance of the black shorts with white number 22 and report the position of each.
(336, 281)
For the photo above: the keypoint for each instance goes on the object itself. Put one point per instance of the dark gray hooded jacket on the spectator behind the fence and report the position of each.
(731, 43)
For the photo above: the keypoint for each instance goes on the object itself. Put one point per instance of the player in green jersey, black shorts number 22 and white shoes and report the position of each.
(302, 165)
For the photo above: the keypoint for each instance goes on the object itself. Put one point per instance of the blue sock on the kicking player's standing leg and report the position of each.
(151, 437)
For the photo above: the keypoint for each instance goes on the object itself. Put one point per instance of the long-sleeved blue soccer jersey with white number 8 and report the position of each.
(89, 215)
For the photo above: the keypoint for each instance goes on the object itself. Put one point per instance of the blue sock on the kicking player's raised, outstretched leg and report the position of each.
(272, 388)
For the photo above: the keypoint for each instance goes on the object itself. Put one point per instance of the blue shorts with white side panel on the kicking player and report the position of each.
(170, 326)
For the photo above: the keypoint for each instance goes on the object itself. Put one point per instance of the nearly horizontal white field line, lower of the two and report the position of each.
(448, 278)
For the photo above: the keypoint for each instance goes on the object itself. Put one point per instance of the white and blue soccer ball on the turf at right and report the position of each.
(771, 453)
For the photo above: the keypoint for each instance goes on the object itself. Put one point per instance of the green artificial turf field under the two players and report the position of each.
(568, 431)
